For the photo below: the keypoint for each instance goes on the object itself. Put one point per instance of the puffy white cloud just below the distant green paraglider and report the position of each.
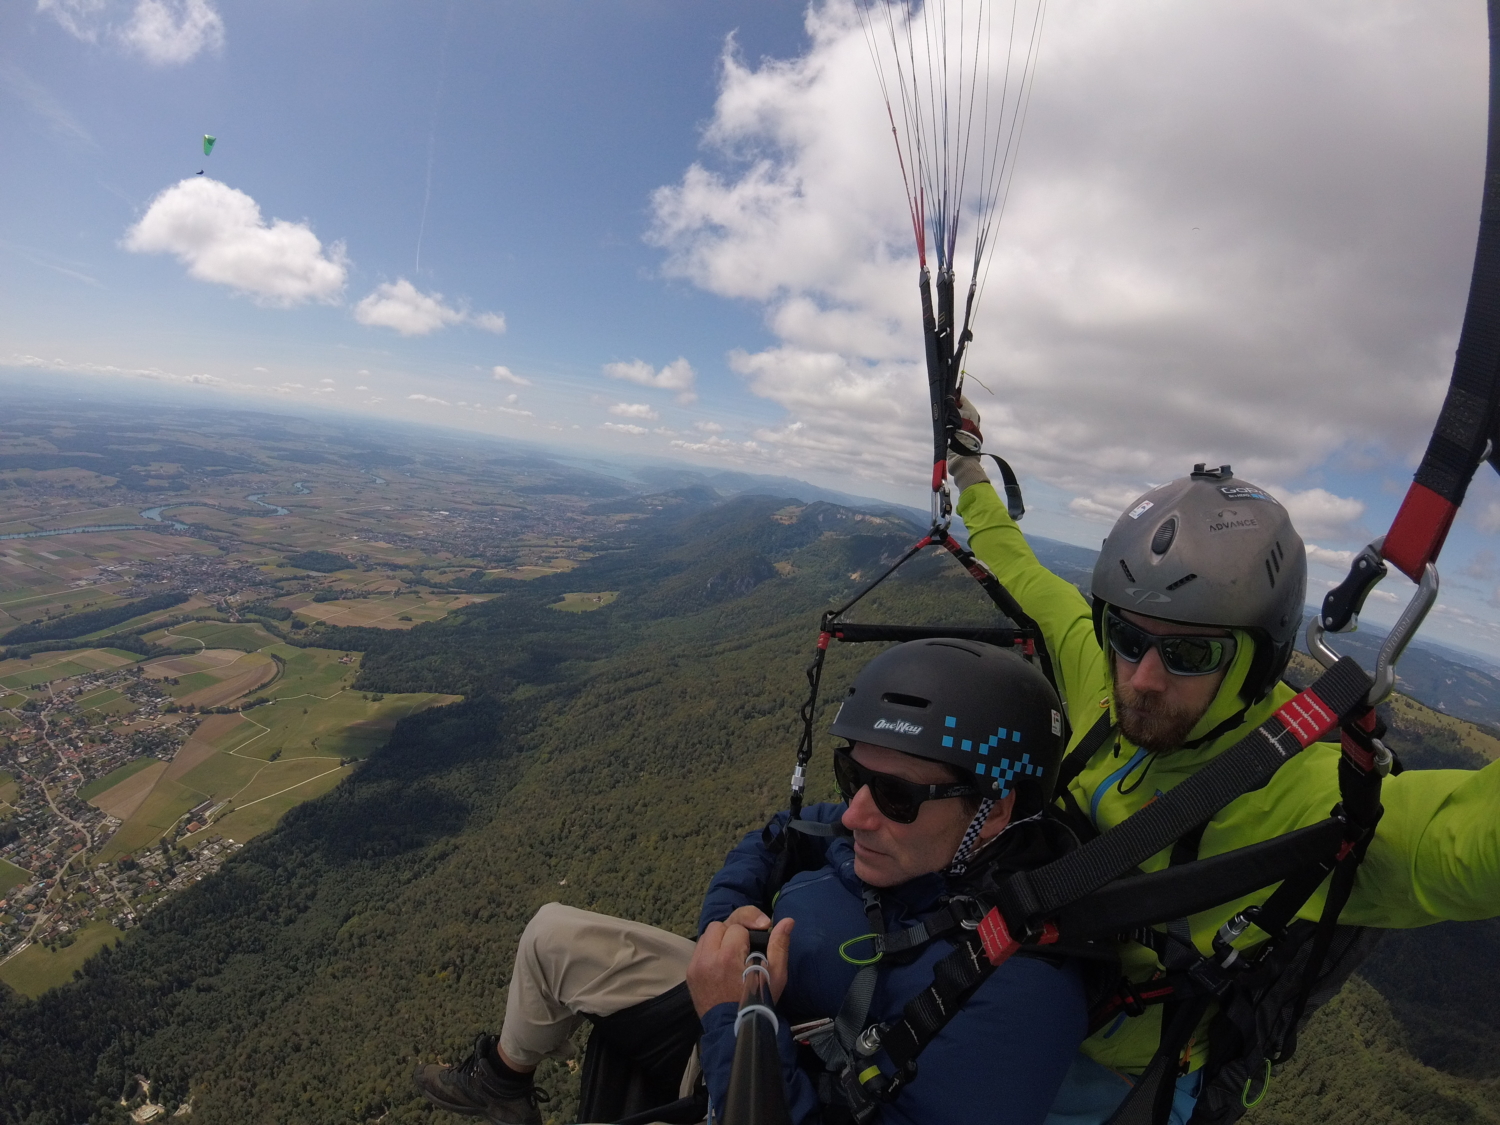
(220, 236)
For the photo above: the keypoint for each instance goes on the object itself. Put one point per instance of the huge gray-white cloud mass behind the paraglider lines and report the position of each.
(1187, 269)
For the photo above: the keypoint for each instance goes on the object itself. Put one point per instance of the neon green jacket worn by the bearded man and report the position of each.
(1436, 854)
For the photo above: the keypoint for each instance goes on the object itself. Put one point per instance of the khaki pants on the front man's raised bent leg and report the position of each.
(574, 964)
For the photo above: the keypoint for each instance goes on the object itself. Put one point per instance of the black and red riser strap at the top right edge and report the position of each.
(1469, 416)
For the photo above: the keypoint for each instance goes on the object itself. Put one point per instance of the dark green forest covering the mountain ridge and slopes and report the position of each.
(605, 760)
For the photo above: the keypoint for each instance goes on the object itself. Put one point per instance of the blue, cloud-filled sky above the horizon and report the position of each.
(1238, 232)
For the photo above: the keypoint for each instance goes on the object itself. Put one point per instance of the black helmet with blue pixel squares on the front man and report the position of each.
(973, 706)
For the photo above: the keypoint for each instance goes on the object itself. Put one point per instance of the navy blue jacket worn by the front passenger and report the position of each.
(1001, 1060)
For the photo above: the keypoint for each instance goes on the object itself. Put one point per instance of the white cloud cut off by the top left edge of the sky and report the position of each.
(163, 32)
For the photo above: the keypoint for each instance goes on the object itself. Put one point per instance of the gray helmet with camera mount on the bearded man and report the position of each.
(1211, 550)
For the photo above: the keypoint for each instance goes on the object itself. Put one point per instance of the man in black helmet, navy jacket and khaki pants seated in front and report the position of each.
(886, 1001)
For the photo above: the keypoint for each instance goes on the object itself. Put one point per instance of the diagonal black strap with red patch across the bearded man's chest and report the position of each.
(1031, 898)
